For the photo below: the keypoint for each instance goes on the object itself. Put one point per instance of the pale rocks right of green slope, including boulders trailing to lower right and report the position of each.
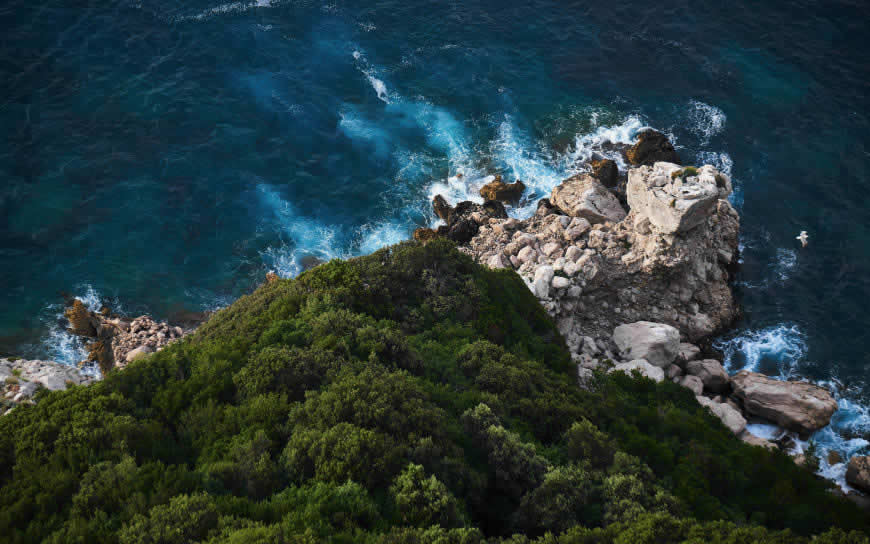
(636, 288)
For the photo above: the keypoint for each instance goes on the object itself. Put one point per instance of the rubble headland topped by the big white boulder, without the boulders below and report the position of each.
(594, 266)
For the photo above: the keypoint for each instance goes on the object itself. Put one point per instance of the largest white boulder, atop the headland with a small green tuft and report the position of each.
(675, 202)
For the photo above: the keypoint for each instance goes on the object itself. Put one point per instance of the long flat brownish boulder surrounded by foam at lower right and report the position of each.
(797, 406)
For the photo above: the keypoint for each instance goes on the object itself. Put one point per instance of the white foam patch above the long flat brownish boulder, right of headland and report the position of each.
(778, 348)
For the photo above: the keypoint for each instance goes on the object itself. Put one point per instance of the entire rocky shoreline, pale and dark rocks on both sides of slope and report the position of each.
(634, 267)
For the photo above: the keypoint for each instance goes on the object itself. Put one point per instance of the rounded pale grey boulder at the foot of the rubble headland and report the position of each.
(655, 342)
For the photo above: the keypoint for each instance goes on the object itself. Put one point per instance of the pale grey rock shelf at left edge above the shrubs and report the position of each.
(21, 379)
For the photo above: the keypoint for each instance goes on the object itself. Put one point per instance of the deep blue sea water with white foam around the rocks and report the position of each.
(163, 156)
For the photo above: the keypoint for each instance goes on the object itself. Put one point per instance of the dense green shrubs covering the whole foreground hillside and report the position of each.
(407, 396)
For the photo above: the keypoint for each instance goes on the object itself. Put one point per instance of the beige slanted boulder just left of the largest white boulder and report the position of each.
(583, 196)
